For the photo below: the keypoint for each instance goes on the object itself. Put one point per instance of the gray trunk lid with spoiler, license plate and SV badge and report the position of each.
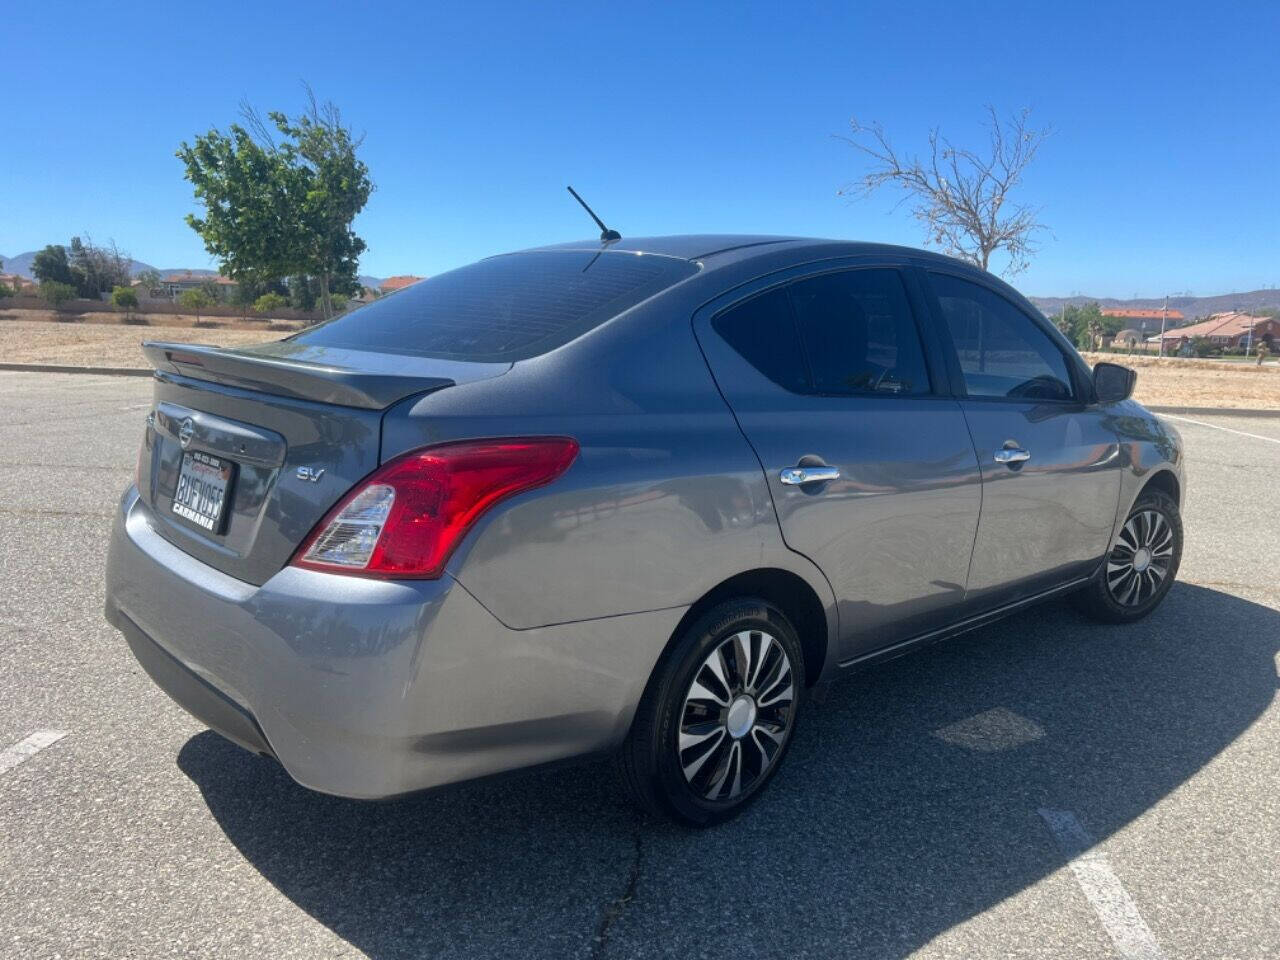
(289, 432)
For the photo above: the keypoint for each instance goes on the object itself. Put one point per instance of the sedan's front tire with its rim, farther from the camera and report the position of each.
(1124, 591)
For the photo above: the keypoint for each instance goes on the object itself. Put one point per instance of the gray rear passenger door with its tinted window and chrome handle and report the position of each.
(870, 463)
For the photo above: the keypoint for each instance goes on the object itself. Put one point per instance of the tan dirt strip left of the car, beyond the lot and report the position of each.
(108, 345)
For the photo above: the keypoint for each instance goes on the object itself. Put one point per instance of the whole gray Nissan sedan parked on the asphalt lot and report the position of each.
(621, 497)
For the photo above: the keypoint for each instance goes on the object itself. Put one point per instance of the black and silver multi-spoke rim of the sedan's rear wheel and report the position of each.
(737, 716)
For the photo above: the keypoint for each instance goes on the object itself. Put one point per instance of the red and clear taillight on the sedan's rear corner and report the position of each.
(408, 518)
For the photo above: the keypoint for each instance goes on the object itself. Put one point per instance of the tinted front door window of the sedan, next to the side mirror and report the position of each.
(1003, 351)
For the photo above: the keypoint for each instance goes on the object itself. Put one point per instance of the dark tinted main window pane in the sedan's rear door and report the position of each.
(860, 333)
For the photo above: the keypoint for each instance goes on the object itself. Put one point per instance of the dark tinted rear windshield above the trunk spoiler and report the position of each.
(504, 309)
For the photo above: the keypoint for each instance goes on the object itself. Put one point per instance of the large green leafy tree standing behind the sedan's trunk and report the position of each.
(280, 198)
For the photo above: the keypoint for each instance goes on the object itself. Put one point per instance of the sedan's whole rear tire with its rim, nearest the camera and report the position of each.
(729, 689)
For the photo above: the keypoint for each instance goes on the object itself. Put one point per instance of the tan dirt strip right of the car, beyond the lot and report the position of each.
(1174, 382)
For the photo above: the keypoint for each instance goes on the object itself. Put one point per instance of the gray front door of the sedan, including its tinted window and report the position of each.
(1050, 465)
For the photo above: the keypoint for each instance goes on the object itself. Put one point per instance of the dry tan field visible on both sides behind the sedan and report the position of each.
(102, 340)
